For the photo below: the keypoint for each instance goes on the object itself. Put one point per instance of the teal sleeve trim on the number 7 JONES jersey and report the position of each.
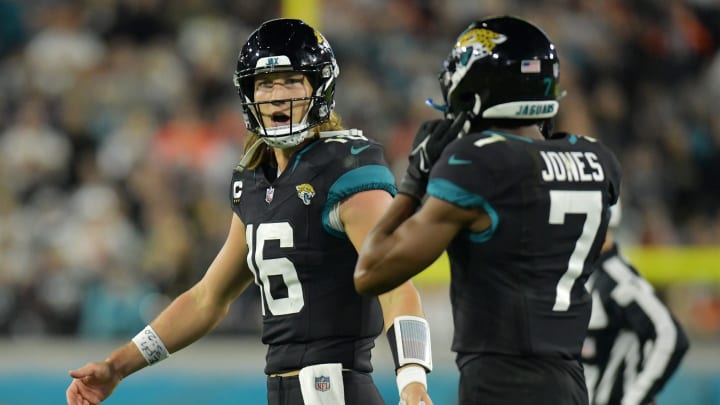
(450, 192)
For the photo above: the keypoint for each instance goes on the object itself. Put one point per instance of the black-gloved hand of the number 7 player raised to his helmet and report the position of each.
(430, 140)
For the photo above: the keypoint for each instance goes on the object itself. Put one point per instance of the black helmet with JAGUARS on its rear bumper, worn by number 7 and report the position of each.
(501, 68)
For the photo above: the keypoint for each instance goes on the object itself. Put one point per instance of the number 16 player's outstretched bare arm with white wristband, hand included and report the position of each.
(190, 316)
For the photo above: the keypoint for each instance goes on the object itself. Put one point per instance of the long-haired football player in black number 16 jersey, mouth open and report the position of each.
(304, 197)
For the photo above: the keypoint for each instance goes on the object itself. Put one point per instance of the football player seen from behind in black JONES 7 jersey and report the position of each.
(521, 214)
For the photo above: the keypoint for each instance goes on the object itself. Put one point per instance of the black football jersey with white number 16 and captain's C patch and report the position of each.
(301, 258)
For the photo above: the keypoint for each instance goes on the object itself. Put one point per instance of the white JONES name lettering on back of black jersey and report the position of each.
(571, 166)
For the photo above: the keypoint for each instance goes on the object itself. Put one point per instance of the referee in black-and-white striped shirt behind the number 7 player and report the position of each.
(634, 344)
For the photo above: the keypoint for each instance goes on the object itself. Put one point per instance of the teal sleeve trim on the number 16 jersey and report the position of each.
(371, 177)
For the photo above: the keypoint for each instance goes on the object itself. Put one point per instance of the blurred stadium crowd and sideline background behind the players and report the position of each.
(119, 127)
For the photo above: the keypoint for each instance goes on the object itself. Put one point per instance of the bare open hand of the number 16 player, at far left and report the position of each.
(92, 384)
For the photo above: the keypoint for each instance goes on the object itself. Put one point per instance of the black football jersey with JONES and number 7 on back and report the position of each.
(517, 287)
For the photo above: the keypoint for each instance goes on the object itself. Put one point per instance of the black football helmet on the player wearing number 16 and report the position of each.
(287, 45)
